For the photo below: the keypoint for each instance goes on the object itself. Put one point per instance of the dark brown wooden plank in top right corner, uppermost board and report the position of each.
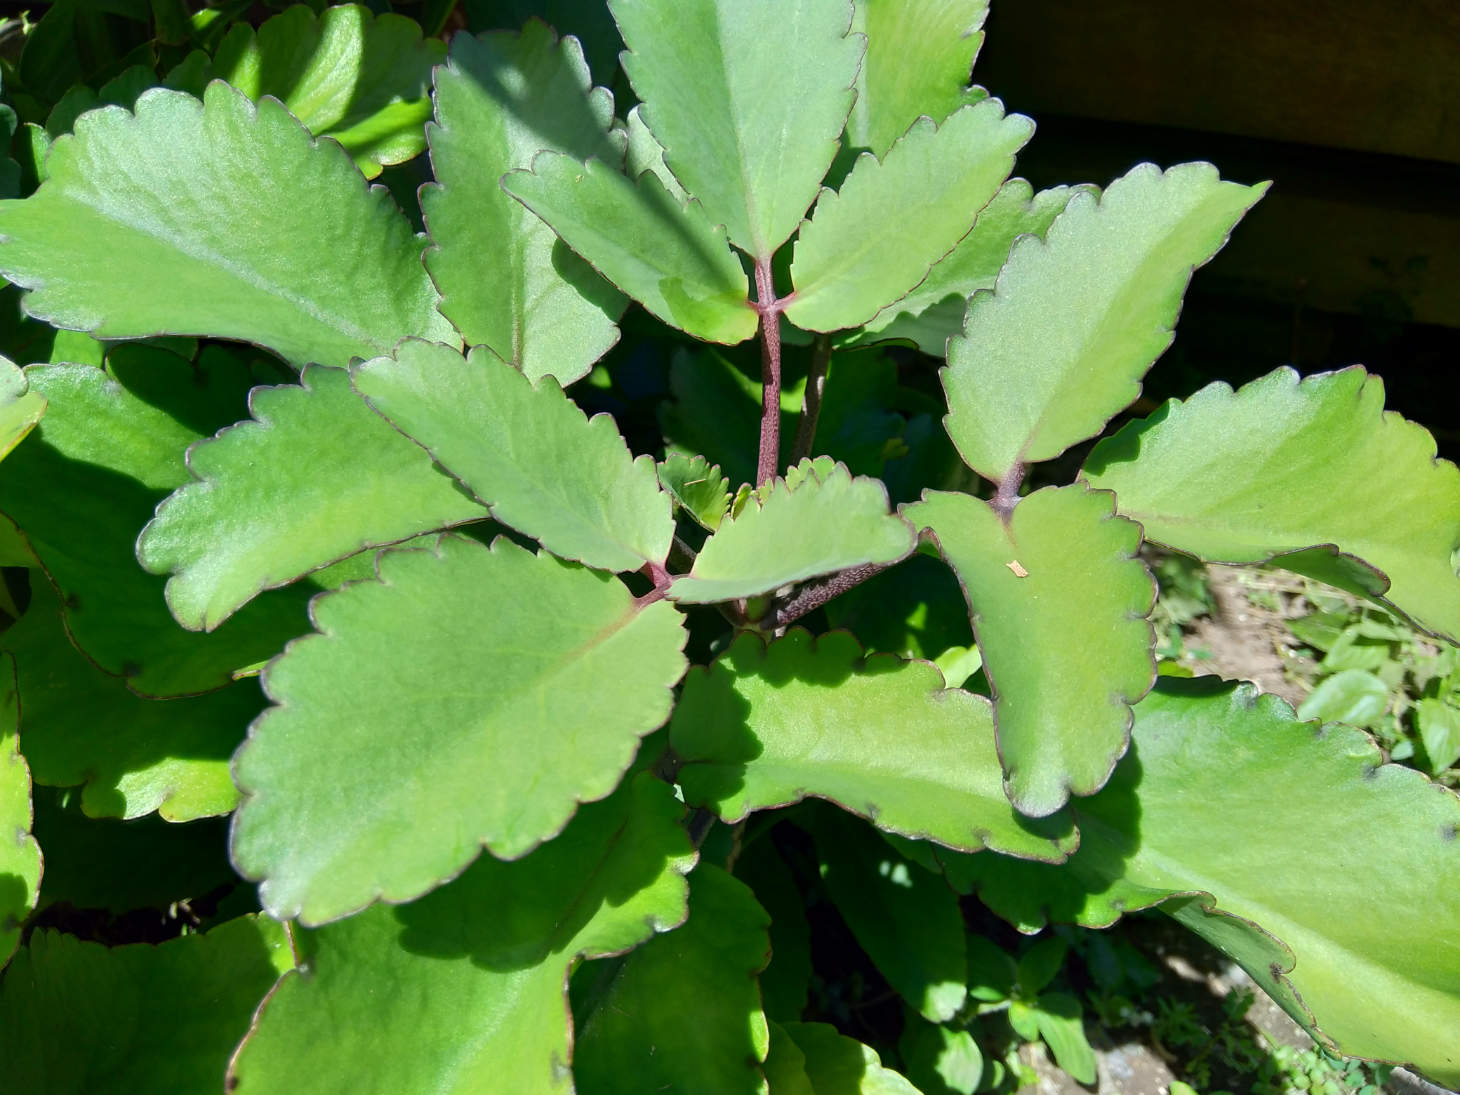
(1344, 74)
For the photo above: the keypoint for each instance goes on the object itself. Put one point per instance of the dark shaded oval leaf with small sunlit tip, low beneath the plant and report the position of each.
(903, 916)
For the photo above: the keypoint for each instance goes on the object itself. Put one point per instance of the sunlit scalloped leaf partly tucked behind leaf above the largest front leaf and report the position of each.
(310, 480)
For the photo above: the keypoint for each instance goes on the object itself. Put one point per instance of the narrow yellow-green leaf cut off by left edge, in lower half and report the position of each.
(20, 853)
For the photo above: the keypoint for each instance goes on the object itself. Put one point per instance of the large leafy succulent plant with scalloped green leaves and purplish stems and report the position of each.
(534, 703)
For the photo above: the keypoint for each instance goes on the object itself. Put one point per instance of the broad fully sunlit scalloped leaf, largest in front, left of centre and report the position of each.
(465, 666)
